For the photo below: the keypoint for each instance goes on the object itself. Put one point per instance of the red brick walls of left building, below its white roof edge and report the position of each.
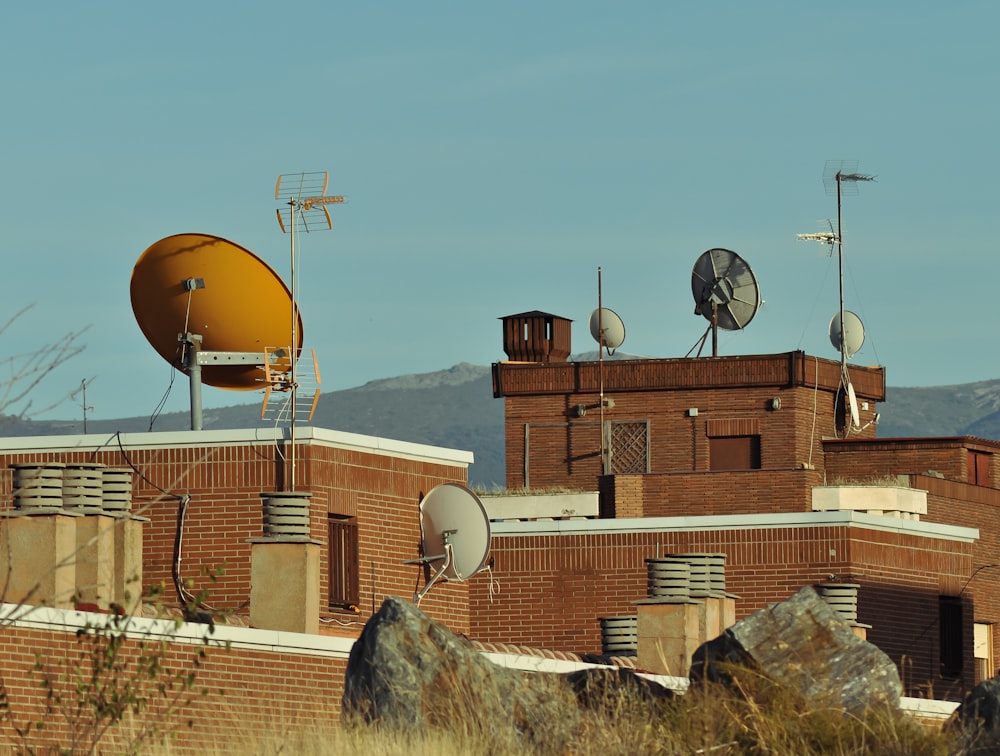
(225, 481)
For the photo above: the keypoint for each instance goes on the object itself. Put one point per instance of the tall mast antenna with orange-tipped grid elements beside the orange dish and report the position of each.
(306, 201)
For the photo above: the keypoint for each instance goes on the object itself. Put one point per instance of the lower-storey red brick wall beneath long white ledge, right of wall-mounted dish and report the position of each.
(554, 588)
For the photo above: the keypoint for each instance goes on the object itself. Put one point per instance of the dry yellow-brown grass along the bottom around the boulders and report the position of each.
(757, 718)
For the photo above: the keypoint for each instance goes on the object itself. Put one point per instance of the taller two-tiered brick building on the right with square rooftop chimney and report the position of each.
(754, 457)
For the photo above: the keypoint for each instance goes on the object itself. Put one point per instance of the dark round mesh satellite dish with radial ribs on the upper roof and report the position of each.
(725, 292)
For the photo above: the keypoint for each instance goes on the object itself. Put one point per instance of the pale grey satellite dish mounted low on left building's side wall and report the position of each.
(455, 535)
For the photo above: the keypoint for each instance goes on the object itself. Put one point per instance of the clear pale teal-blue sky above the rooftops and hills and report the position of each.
(494, 156)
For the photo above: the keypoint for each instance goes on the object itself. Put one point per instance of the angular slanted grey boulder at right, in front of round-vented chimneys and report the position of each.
(802, 644)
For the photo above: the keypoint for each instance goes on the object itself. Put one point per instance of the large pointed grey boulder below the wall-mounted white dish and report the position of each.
(409, 673)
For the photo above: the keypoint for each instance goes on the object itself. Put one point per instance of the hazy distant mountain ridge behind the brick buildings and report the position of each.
(455, 408)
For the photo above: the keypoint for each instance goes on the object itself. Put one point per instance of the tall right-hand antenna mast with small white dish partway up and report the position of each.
(841, 177)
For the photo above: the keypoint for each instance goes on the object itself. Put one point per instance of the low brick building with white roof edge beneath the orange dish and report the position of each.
(364, 496)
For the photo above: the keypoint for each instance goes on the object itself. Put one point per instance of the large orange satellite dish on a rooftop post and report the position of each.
(244, 306)
